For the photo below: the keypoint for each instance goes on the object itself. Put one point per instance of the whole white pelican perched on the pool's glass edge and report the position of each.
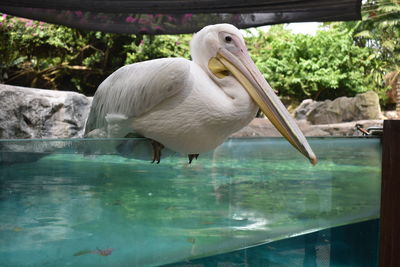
(191, 106)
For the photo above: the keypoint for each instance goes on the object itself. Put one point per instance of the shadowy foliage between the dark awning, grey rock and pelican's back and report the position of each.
(43, 55)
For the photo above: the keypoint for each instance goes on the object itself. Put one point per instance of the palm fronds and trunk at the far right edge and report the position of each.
(380, 31)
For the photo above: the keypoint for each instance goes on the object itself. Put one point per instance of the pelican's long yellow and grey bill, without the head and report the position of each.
(242, 67)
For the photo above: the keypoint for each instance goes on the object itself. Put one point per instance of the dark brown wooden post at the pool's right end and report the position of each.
(389, 247)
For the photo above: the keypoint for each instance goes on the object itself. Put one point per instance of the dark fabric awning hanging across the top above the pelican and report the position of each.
(178, 16)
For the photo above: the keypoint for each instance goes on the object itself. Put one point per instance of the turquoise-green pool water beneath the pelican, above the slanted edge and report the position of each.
(62, 199)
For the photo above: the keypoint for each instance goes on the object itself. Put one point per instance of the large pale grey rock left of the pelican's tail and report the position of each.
(37, 113)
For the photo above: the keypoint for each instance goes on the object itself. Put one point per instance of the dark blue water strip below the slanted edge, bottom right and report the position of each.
(343, 246)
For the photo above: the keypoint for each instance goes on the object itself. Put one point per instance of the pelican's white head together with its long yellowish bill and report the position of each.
(221, 50)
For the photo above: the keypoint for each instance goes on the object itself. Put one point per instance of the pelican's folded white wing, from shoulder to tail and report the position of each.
(135, 89)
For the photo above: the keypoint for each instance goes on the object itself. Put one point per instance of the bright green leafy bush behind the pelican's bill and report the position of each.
(301, 66)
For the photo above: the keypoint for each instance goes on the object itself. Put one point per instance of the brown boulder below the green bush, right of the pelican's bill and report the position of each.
(343, 109)
